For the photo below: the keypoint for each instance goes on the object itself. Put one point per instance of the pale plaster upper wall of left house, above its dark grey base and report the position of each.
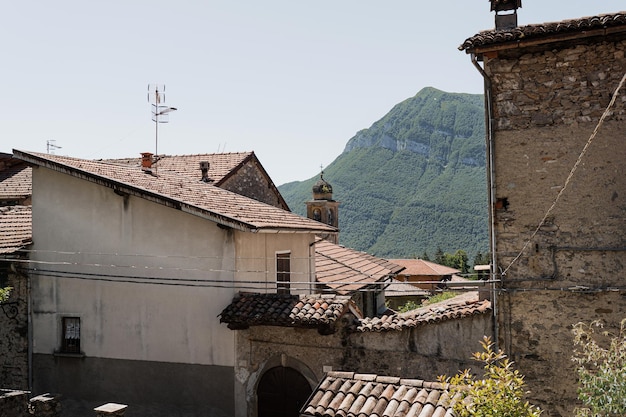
(171, 323)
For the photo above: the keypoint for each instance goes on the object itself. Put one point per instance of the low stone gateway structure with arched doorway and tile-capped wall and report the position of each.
(285, 345)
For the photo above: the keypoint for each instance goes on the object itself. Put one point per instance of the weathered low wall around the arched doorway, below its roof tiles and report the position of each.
(424, 352)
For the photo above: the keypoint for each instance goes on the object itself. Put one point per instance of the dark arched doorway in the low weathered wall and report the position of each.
(281, 392)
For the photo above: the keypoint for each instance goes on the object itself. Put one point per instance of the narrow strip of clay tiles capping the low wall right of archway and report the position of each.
(461, 306)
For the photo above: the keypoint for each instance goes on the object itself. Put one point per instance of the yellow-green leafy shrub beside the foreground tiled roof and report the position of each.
(499, 394)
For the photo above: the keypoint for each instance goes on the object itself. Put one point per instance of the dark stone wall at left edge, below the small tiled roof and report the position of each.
(14, 332)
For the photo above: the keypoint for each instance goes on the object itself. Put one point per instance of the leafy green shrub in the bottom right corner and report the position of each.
(601, 370)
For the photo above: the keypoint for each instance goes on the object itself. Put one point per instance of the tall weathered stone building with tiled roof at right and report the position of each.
(556, 155)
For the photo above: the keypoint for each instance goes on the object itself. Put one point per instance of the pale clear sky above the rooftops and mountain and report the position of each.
(292, 81)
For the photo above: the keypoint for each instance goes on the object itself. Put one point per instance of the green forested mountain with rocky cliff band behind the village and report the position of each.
(413, 182)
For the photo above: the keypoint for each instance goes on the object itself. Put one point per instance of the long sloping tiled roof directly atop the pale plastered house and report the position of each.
(193, 196)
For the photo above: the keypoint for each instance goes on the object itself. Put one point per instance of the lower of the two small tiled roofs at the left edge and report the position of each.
(15, 228)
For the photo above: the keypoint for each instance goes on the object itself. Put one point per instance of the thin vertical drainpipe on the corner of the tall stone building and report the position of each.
(491, 195)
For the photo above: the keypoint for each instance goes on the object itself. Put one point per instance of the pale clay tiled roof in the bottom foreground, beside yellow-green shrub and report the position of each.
(346, 394)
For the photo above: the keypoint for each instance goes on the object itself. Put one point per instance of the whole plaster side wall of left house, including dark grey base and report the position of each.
(148, 343)
